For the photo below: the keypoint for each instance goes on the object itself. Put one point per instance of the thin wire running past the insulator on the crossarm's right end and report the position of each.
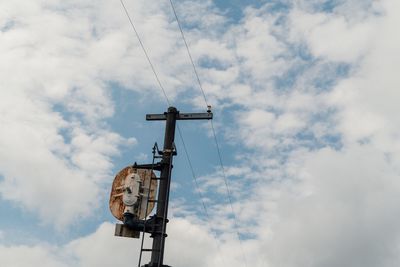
(213, 131)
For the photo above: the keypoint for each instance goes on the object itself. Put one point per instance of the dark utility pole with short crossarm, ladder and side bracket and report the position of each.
(156, 225)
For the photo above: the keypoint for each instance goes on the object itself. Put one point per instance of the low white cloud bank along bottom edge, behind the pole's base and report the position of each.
(188, 244)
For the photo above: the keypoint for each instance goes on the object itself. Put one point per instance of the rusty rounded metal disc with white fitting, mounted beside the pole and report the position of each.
(130, 193)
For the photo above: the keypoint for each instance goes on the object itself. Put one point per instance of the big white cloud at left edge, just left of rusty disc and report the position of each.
(42, 171)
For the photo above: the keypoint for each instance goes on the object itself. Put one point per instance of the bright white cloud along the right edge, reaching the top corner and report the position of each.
(368, 98)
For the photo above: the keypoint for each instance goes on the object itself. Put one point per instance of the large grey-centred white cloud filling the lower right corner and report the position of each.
(344, 212)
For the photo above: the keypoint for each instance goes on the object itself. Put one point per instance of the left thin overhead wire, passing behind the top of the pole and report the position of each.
(169, 103)
